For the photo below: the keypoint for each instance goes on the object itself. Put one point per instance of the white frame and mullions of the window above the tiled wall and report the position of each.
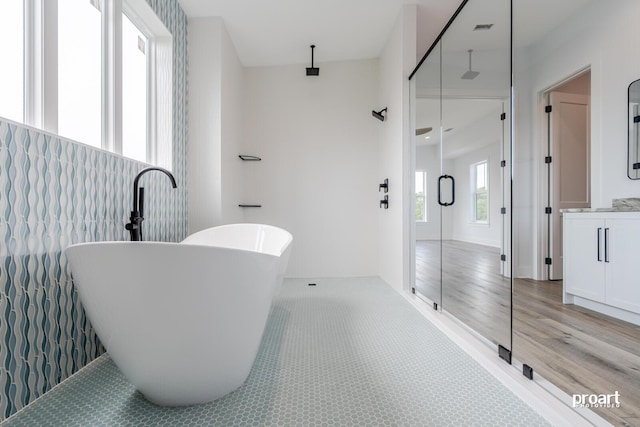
(40, 88)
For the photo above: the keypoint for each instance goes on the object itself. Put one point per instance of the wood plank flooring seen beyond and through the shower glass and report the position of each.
(578, 350)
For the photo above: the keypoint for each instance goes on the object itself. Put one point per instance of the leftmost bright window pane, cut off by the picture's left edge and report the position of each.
(12, 70)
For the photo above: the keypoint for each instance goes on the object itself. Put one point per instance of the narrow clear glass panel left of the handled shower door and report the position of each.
(427, 136)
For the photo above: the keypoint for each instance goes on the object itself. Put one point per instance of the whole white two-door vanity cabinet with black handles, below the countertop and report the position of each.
(602, 262)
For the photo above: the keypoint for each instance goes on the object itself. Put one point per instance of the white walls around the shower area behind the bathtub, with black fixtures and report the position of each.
(323, 154)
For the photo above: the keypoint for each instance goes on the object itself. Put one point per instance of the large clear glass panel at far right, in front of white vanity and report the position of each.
(584, 343)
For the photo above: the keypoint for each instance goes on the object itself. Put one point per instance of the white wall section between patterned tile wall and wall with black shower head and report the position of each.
(215, 125)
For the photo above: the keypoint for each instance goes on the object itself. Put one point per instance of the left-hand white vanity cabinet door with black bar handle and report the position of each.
(584, 266)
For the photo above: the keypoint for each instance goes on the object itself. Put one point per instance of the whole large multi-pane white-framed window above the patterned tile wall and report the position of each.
(95, 71)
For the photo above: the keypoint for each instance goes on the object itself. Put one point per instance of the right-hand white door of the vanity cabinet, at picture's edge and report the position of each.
(623, 268)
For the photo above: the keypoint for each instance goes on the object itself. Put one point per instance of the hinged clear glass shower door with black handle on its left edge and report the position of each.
(475, 93)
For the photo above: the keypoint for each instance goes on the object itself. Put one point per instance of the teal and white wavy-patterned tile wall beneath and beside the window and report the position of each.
(54, 193)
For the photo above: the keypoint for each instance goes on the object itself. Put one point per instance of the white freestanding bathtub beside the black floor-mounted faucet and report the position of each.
(183, 321)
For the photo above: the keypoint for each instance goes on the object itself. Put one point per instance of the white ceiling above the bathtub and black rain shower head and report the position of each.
(279, 32)
